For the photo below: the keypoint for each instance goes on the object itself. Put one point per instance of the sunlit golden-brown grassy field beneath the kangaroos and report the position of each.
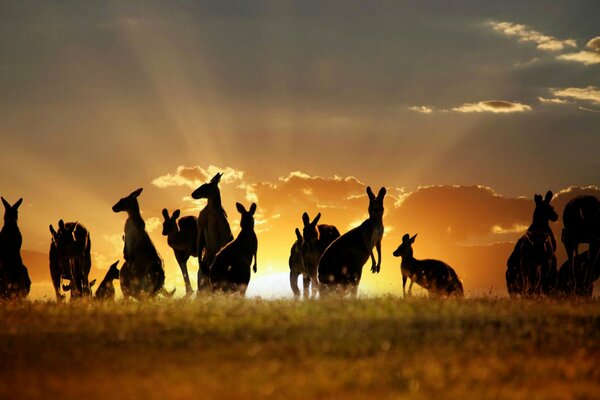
(376, 348)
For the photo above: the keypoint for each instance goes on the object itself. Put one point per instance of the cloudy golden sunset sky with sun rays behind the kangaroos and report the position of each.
(462, 109)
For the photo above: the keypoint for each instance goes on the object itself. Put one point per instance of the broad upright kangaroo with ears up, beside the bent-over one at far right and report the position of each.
(531, 267)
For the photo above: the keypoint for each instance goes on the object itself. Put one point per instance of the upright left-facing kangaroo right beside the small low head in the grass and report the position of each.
(142, 274)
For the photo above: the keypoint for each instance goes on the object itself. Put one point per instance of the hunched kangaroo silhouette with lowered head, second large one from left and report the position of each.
(70, 258)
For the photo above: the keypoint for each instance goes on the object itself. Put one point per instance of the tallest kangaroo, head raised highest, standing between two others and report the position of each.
(213, 228)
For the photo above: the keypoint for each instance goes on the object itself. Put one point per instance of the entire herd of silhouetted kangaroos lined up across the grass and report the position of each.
(328, 262)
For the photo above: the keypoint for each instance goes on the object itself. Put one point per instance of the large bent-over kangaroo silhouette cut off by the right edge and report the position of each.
(581, 219)
